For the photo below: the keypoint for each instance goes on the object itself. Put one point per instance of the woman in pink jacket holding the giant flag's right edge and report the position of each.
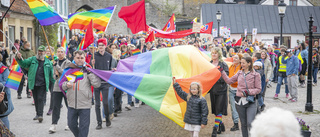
(249, 85)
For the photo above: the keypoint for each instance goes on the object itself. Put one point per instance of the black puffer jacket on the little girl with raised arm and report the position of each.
(197, 109)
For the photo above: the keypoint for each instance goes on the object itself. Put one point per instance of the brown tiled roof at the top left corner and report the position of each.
(20, 6)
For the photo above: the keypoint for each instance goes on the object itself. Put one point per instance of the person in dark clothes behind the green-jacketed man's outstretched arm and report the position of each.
(26, 53)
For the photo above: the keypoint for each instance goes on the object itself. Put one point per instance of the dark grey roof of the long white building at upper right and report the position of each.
(263, 17)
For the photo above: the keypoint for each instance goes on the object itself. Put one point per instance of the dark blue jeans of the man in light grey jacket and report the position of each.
(80, 129)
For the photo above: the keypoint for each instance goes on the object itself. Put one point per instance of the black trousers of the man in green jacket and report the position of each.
(39, 94)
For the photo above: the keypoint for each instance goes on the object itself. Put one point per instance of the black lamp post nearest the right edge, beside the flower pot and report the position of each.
(309, 106)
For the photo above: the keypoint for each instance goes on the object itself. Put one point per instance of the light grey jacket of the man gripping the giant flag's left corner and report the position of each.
(79, 96)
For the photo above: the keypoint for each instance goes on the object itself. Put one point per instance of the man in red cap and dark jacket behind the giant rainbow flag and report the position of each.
(102, 61)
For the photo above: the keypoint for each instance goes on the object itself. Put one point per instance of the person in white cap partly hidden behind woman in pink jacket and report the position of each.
(258, 68)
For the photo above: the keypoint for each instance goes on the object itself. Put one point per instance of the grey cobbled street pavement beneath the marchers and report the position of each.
(145, 121)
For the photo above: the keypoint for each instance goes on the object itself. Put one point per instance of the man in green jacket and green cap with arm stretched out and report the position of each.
(39, 76)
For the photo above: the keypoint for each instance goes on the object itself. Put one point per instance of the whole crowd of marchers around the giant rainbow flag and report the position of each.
(253, 62)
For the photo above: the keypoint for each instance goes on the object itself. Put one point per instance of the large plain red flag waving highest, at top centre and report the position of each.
(135, 16)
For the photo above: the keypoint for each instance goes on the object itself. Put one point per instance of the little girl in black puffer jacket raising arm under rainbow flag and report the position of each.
(196, 115)
